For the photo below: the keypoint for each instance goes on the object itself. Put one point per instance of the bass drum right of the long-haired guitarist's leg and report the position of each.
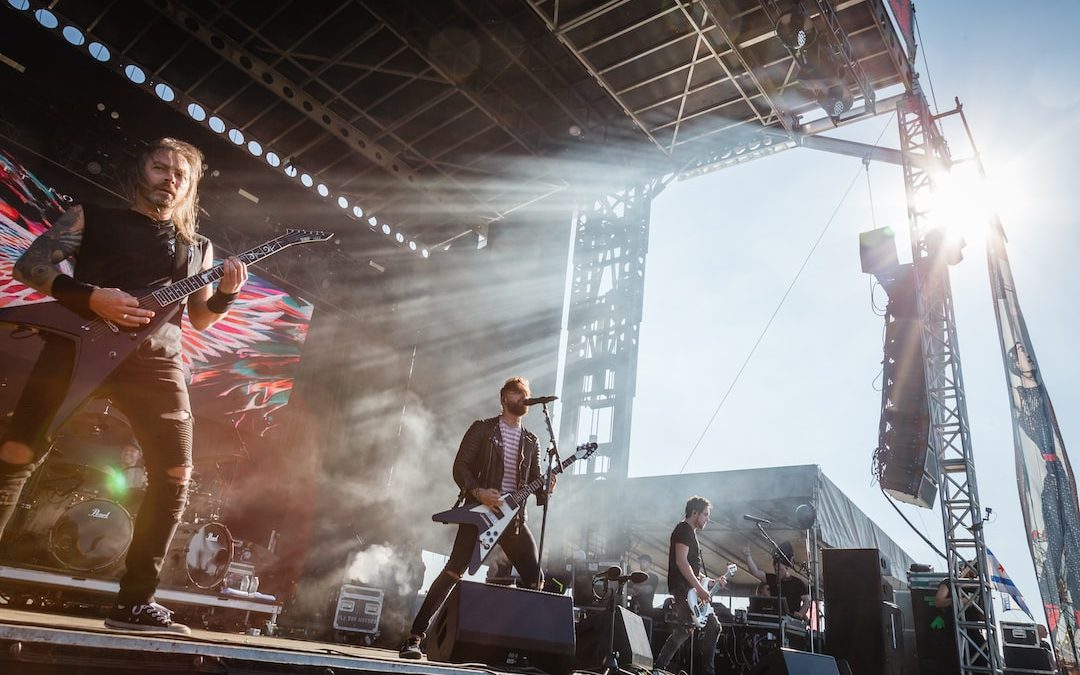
(200, 556)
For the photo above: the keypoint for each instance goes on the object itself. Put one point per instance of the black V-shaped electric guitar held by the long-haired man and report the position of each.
(101, 346)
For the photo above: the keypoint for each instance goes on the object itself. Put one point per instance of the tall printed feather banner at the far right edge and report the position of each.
(1048, 492)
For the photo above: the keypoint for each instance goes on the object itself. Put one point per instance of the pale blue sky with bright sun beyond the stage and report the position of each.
(724, 249)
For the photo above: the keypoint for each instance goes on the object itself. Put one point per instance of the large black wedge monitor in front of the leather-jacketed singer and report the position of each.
(505, 627)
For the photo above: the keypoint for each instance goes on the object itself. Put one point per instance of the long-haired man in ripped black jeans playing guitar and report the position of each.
(119, 252)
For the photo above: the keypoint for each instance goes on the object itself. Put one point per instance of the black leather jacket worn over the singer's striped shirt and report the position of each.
(479, 463)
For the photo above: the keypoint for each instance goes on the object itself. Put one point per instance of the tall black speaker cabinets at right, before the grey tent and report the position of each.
(860, 627)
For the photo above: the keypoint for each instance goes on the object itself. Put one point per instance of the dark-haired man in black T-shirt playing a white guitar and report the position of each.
(686, 573)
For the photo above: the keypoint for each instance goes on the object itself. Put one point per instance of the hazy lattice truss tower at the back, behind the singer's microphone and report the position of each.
(607, 286)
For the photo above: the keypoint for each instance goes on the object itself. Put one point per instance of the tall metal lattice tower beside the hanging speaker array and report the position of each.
(925, 152)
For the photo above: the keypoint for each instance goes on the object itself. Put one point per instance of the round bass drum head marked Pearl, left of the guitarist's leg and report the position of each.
(91, 535)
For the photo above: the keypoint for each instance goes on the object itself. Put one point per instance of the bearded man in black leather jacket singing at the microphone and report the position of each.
(497, 456)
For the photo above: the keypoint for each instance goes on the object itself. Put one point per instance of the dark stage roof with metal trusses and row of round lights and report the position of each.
(443, 117)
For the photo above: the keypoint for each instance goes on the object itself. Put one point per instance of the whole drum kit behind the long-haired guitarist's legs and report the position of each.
(77, 514)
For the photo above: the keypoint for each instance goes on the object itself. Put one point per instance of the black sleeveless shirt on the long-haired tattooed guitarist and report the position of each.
(123, 249)
